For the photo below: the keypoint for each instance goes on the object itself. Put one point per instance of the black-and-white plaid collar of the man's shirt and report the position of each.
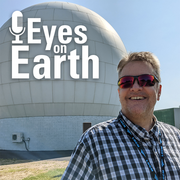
(140, 132)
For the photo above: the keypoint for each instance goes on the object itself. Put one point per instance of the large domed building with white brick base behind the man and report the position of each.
(51, 113)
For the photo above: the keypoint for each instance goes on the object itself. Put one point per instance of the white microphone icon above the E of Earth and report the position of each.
(17, 26)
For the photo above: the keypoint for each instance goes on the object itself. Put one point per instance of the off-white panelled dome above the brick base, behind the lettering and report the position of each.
(66, 96)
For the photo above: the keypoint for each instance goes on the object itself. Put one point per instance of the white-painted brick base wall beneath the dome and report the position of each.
(45, 133)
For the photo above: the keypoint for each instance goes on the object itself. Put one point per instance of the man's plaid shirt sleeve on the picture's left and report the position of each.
(80, 166)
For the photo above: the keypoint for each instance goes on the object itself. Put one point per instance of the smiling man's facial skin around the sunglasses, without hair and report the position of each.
(149, 95)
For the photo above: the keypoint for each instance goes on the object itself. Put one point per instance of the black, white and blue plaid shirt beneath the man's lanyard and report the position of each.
(106, 152)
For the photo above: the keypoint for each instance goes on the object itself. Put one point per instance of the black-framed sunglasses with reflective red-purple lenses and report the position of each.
(143, 80)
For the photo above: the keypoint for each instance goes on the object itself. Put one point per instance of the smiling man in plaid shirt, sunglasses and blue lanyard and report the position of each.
(135, 145)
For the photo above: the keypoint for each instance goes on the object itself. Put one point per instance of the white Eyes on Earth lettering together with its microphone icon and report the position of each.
(64, 37)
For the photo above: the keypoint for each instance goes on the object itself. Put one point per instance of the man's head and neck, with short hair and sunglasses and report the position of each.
(138, 96)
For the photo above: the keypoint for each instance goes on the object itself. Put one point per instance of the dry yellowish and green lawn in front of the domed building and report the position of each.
(31, 170)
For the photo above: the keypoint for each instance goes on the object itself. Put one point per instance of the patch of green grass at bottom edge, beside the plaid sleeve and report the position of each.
(54, 174)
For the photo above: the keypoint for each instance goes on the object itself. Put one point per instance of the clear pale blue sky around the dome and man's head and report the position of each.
(149, 25)
